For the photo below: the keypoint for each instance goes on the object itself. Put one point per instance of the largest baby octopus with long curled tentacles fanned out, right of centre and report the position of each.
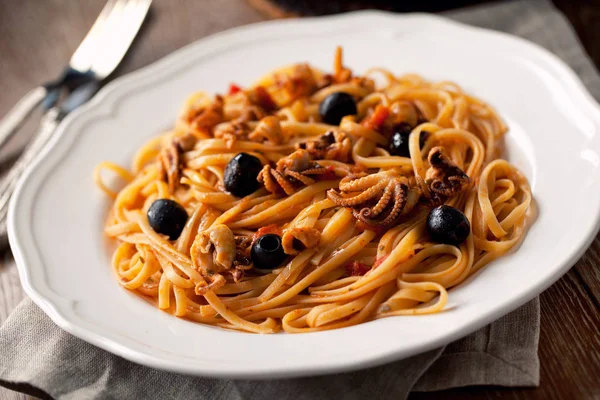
(375, 199)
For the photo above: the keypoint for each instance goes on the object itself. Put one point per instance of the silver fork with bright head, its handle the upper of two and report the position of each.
(96, 57)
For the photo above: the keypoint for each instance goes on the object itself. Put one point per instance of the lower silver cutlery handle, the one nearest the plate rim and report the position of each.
(48, 126)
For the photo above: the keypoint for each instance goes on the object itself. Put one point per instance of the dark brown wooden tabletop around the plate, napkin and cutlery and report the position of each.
(38, 37)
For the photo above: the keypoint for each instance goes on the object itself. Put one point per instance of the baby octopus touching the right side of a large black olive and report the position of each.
(290, 172)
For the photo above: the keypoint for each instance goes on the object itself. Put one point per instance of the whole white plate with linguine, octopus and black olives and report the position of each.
(334, 204)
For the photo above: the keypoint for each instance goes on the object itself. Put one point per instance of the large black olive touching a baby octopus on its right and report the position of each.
(240, 174)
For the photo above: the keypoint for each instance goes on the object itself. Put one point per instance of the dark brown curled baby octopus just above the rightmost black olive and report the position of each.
(443, 178)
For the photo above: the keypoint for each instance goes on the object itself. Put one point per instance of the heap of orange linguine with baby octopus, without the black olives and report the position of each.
(351, 216)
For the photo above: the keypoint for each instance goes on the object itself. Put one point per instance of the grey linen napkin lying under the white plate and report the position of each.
(41, 359)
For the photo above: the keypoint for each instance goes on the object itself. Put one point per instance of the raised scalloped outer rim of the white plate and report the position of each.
(60, 311)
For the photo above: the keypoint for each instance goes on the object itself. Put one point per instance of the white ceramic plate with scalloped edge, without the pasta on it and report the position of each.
(57, 214)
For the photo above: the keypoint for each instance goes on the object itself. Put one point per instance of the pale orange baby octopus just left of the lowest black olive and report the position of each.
(220, 241)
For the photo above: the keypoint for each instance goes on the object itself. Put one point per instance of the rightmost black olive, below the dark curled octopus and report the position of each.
(448, 225)
